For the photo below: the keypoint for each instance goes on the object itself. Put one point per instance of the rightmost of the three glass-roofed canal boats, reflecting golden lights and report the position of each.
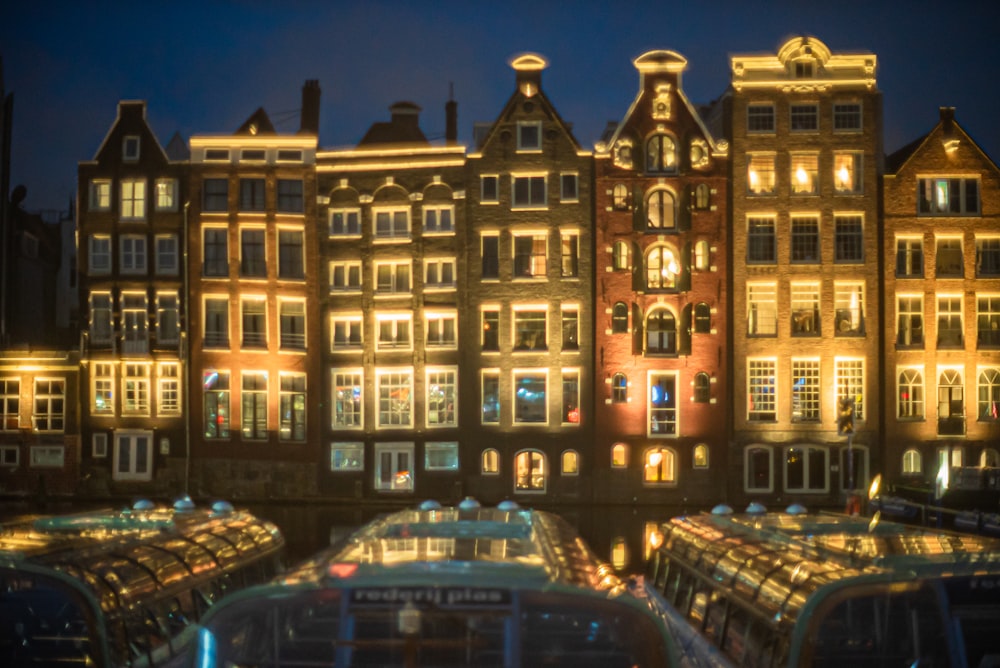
(800, 589)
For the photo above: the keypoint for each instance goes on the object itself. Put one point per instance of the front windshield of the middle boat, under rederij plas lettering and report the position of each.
(440, 626)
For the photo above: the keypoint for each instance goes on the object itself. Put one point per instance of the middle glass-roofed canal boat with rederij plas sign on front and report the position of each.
(442, 586)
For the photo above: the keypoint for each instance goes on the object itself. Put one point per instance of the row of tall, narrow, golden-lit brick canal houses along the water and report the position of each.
(670, 317)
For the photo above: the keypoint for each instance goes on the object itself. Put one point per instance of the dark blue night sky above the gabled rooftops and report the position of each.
(204, 67)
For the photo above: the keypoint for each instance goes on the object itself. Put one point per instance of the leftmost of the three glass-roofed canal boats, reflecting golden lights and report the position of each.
(122, 588)
